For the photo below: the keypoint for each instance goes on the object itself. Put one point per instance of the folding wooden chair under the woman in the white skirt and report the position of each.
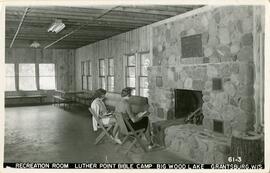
(105, 128)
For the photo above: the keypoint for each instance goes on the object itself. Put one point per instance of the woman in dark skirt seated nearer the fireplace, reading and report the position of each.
(138, 121)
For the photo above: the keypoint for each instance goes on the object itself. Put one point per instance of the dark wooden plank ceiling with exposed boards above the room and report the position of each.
(83, 25)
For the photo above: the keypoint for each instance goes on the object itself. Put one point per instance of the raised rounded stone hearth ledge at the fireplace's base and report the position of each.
(198, 144)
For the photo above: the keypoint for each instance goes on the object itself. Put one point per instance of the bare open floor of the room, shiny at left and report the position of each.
(52, 134)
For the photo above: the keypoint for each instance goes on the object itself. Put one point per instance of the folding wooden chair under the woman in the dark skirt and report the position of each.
(135, 135)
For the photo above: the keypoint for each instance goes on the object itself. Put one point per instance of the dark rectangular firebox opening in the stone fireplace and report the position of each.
(187, 102)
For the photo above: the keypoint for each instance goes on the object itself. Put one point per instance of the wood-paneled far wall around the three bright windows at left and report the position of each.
(62, 58)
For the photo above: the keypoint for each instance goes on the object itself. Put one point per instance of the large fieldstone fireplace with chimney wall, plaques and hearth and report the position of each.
(219, 78)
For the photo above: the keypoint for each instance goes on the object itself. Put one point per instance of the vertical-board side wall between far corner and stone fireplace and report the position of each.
(116, 47)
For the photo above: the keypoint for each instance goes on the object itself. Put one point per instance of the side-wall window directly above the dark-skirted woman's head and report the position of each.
(131, 73)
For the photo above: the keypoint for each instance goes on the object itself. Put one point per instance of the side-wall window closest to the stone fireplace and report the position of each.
(144, 64)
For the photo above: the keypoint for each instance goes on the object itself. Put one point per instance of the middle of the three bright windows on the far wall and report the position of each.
(27, 77)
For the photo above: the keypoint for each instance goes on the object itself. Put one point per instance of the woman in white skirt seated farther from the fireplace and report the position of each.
(101, 111)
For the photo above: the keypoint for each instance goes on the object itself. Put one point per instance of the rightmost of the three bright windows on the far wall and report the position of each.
(47, 76)
